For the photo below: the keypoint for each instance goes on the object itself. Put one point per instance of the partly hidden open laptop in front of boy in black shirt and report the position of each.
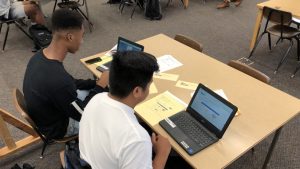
(123, 45)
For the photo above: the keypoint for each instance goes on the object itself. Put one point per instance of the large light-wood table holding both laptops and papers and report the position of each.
(264, 109)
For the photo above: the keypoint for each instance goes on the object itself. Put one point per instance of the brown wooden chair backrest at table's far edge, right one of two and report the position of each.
(249, 71)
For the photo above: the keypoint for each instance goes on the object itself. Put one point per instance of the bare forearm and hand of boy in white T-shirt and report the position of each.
(162, 148)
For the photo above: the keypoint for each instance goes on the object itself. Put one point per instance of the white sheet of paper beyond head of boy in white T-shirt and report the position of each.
(167, 62)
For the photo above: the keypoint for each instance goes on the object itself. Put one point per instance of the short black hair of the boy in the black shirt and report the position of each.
(64, 19)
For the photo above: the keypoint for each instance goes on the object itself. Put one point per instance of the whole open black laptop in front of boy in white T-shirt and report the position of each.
(203, 123)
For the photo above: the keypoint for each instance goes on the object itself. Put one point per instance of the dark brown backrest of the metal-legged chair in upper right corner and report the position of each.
(277, 16)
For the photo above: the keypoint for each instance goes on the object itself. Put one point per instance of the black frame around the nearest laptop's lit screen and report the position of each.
(206, 123)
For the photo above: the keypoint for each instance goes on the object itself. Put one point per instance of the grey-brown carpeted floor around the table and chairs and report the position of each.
(225, 34)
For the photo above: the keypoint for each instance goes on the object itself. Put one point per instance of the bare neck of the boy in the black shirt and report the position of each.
(55, 51)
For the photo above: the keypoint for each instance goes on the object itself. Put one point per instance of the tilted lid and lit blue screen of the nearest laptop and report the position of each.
(212, 110)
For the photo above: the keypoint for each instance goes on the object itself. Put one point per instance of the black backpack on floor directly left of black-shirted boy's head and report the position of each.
(41, 36)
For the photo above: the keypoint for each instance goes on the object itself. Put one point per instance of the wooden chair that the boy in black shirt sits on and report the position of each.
(21, 107)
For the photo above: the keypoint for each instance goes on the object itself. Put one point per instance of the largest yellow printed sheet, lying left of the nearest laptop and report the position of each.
(160, 107)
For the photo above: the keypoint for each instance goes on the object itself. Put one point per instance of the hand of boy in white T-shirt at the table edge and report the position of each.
(161, 144)
